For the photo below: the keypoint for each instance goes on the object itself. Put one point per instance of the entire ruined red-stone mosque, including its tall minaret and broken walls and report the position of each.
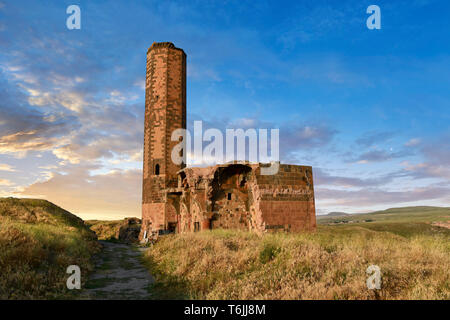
(233, 195)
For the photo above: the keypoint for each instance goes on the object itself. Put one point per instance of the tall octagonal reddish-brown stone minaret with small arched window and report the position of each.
(165, 111)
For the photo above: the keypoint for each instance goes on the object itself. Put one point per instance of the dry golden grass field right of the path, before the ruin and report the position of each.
(411, 250)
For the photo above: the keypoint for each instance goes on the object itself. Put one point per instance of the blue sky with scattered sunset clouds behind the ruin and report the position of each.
(368, 109)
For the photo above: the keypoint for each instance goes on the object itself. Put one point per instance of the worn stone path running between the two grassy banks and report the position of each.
(119, 274)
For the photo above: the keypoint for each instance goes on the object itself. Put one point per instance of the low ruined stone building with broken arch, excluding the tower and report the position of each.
(236, 196)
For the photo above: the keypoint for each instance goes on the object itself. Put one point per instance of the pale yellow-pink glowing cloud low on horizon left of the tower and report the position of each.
(115, 194)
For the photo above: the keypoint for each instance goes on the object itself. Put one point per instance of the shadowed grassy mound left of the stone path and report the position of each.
(38, 241)
